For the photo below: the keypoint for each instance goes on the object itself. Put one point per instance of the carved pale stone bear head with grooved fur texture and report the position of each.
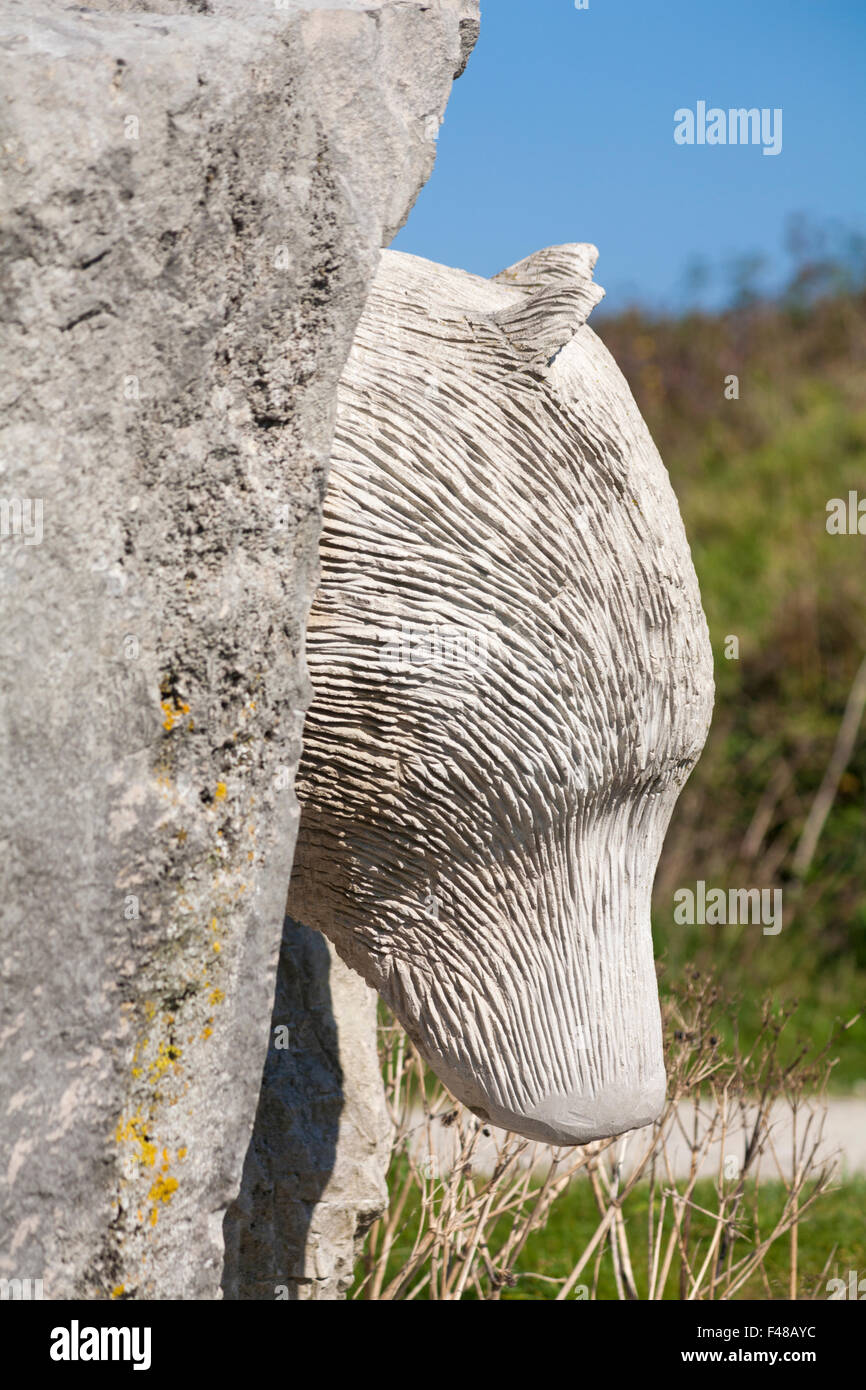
(514, 680)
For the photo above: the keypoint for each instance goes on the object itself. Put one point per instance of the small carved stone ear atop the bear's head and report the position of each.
(558, 297)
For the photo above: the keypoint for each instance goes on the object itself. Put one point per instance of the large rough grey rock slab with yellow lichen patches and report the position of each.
(194, 208)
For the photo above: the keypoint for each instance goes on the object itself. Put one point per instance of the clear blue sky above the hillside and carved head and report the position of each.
(562, 130)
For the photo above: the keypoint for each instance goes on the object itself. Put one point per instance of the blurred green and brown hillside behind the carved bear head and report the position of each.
(754, 477)
